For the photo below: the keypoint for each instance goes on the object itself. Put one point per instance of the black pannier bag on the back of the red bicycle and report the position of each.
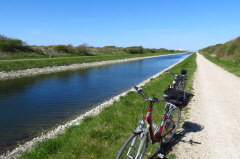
(177, 97)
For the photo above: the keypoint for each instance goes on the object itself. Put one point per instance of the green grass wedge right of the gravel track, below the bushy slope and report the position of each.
(230, 66)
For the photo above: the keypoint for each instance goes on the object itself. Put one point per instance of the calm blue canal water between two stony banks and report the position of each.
(30, 105)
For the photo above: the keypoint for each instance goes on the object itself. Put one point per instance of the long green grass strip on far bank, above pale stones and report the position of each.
(44, 62)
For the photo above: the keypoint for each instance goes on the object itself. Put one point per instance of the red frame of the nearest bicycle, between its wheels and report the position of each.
(157, 136)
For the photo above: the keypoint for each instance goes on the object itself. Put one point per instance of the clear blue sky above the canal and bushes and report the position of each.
(172, 24)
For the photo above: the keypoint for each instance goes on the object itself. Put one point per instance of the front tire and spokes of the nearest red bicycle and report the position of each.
(133, 138)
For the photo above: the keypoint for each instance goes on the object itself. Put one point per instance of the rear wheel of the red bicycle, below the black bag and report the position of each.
(175, 115)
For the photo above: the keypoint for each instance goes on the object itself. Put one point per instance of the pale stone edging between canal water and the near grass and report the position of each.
(61, 128)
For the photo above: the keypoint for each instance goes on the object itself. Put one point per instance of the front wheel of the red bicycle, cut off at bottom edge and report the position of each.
(134, 147)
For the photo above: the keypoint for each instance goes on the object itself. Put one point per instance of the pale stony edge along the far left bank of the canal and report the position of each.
(47, 70)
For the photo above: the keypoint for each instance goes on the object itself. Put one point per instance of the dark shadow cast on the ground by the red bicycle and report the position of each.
(188, 127)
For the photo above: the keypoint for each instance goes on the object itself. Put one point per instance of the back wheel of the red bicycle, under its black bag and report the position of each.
(170, 125)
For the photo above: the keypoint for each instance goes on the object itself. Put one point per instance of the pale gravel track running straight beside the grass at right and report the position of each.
(214, 117)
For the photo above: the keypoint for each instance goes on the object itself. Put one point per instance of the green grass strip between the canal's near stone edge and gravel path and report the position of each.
(102, 136)
